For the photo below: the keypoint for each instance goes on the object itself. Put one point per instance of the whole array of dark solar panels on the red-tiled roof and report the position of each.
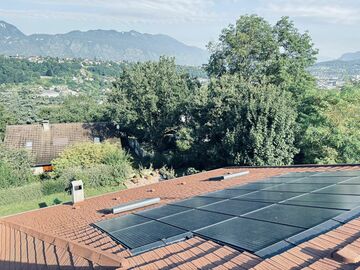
(263, 217)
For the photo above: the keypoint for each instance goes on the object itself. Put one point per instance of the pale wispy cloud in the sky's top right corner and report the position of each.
(331, 11)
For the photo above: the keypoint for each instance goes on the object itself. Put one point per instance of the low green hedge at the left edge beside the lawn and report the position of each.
(19, 194)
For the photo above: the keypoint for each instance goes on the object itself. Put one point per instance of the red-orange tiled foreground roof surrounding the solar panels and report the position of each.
(66, 226)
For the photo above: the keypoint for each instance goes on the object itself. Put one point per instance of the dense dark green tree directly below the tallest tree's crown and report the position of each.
(237, 122)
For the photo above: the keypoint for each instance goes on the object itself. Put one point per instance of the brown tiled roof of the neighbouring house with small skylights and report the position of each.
(46, 141)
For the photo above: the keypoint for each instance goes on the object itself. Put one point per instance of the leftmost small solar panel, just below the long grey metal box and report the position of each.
(122, 222)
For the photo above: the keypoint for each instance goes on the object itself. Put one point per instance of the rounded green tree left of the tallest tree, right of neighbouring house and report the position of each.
(149, 102)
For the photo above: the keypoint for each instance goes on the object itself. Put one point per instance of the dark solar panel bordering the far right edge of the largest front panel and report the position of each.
(299, 216)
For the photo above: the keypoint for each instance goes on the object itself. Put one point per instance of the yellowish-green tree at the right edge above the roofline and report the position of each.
(330, 124)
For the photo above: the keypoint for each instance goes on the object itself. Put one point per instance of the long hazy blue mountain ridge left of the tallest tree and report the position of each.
(129, 46)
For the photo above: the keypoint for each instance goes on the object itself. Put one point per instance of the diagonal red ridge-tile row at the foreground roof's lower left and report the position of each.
(106, 260)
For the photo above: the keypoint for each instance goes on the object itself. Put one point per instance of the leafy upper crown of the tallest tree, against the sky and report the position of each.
(258, 52)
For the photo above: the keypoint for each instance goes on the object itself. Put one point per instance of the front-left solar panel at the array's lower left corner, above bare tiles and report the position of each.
(148, 235)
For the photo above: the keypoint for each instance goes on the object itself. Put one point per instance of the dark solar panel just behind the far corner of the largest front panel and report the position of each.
(235, 207)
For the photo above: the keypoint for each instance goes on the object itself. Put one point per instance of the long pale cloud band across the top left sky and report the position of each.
(124, 11)
